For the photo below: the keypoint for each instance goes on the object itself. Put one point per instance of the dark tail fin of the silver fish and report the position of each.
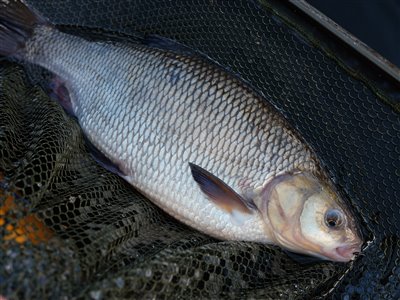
(17, 24)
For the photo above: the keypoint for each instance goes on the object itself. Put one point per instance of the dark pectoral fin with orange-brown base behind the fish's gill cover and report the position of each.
(219, 192)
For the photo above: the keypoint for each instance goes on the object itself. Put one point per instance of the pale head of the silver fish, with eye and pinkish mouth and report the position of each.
(307, 216)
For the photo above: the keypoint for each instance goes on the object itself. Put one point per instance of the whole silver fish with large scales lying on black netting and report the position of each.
(193, 137)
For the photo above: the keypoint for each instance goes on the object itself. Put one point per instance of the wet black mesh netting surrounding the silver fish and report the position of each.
(70, 229)
